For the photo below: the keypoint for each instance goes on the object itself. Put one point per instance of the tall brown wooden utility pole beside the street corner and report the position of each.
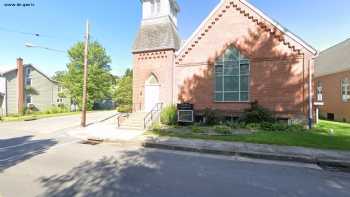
(83, 111)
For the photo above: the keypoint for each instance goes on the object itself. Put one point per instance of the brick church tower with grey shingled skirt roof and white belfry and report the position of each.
(154, 53)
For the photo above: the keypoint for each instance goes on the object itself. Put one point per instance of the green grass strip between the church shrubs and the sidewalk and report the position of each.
(319, 137)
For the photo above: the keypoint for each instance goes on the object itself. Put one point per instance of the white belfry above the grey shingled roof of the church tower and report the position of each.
(155, 9)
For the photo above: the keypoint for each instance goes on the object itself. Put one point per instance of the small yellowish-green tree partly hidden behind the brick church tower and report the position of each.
(123, 93)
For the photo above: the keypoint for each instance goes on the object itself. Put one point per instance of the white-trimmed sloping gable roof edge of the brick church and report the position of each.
(254, 11)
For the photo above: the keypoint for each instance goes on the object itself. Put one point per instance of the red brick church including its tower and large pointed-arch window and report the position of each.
(236, 56)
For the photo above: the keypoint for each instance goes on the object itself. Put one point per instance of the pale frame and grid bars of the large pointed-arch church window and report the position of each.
(239, 81)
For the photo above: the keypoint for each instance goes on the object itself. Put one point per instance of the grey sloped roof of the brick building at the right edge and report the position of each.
(334, 59)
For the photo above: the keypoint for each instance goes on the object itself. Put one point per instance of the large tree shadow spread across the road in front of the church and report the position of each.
(146, 172)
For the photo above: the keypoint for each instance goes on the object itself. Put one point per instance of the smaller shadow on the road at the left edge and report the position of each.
(19, 149)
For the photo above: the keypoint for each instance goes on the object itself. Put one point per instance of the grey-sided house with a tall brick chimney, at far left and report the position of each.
(25, 86)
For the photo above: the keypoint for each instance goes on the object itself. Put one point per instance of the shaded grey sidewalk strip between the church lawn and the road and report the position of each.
(330, 158)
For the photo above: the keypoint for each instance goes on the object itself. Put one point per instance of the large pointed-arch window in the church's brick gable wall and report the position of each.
(232, 77)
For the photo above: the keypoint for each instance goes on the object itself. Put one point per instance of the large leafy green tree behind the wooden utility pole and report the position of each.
(100, 80)
